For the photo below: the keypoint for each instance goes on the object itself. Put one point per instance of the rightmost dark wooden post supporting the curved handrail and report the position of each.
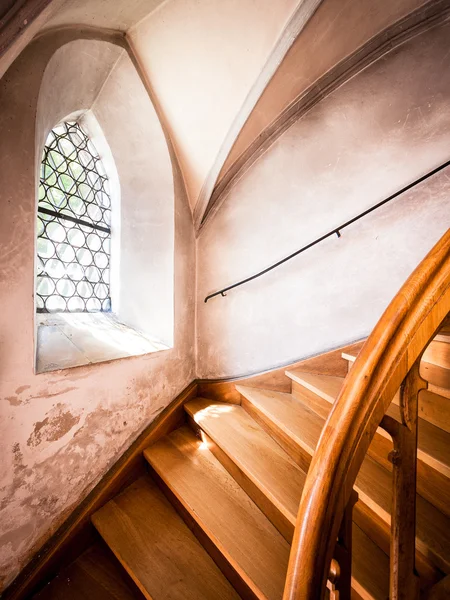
(404, 582)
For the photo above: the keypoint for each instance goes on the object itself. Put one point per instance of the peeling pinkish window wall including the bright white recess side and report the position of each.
(61, 431)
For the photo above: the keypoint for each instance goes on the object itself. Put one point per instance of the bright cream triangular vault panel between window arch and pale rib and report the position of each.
(202, 59)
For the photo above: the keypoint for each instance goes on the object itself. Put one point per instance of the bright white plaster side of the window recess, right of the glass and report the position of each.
(146, 288)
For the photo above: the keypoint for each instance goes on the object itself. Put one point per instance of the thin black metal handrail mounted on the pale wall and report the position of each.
(335, 231)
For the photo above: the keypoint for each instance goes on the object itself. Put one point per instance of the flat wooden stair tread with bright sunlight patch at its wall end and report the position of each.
(253, 451)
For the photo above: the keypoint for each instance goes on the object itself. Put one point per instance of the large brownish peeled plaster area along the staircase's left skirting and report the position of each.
(55, 485)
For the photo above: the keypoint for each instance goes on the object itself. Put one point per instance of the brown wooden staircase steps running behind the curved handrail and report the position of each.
(215, 516)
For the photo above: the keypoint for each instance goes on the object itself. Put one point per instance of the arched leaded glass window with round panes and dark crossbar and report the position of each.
(74, 220)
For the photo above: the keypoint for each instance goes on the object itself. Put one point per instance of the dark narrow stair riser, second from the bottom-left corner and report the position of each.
(221, 560)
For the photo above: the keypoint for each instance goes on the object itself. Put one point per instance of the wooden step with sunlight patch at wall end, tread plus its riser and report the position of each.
(260, 466)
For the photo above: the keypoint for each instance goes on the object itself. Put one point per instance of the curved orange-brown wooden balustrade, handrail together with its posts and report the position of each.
(388, 361)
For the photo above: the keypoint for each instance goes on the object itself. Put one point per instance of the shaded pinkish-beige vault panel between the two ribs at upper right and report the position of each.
(335, 31)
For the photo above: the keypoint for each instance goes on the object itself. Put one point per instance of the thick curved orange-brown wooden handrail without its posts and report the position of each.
(398, 340)
